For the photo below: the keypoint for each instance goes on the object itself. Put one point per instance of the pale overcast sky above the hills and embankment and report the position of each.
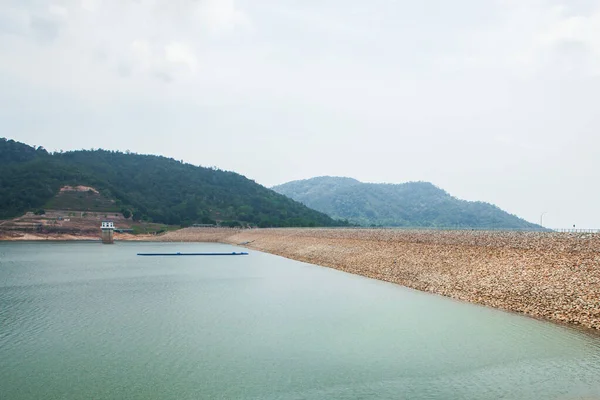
(491, 100)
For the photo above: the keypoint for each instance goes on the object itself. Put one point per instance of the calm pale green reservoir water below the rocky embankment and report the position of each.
(90, 321)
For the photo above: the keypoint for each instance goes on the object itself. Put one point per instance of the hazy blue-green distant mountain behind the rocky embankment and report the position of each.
(412, 204)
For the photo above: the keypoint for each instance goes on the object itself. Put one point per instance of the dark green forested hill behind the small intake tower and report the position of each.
(152, 188)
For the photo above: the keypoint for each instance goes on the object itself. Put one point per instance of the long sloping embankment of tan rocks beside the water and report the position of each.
(549, 275)
